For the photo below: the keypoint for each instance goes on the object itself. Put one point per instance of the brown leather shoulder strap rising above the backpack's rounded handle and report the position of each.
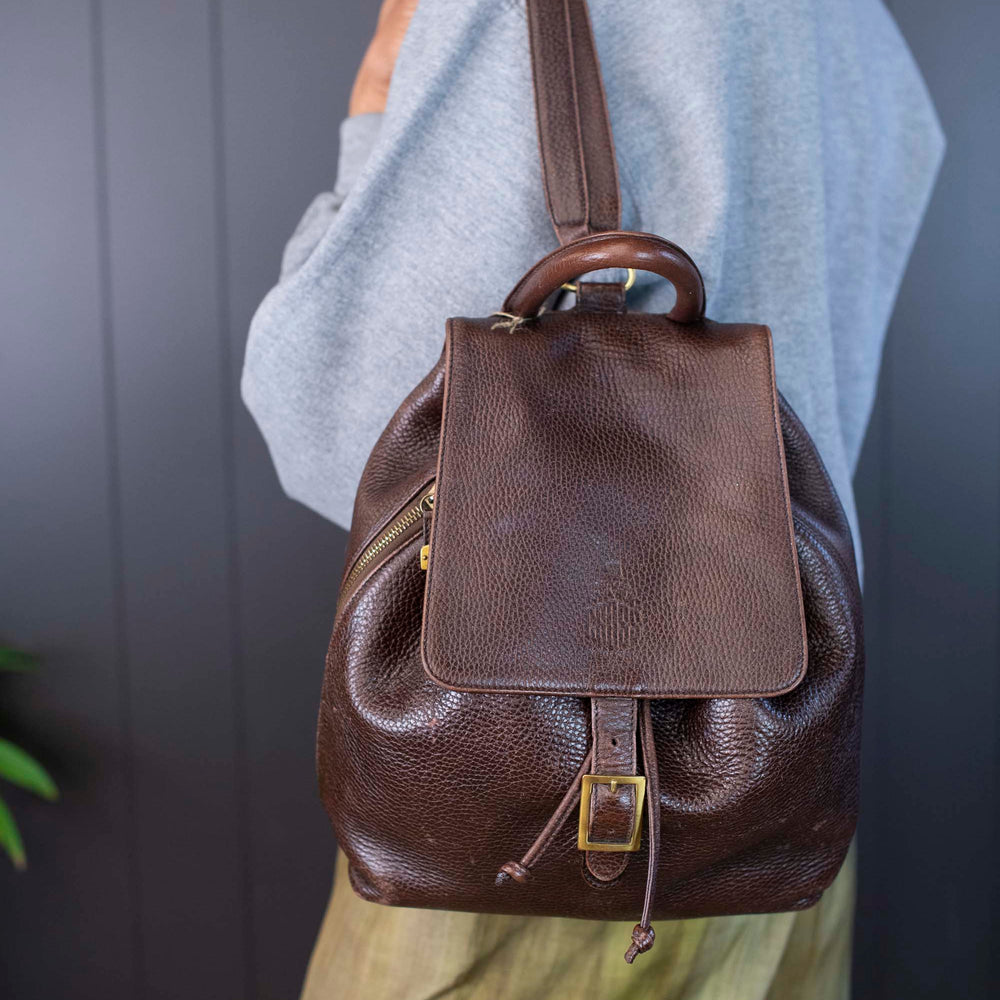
(574, 133)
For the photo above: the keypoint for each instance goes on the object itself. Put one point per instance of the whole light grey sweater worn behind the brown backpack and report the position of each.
(789, 147)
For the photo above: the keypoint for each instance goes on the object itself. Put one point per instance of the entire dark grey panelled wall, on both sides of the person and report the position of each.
(154, 158)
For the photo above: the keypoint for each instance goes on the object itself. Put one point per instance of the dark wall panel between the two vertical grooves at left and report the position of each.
(175, 519)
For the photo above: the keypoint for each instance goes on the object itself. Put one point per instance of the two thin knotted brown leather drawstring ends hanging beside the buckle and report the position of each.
(642, 934)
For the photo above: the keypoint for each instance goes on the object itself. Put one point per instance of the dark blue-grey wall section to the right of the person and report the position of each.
(929, 865)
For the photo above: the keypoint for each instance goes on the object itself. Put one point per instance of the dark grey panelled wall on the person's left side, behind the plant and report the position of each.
(155, 156)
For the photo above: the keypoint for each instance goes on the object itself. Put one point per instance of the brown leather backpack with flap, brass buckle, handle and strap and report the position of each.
(596, 567)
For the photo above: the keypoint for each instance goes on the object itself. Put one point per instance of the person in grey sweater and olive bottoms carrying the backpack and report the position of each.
(791, 149)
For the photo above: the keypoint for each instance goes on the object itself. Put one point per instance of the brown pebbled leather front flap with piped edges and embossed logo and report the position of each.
(611, 514)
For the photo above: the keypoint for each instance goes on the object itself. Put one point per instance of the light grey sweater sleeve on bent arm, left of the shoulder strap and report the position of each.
(445, 208)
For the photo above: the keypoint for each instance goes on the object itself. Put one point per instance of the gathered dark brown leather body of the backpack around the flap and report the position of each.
(431, 791)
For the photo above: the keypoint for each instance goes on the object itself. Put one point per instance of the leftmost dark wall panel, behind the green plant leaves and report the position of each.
(67, 924)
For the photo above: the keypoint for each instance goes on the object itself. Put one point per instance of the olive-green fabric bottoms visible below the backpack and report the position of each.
(381, 953)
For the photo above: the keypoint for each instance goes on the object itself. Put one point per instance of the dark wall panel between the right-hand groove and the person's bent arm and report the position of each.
(285, 84)
